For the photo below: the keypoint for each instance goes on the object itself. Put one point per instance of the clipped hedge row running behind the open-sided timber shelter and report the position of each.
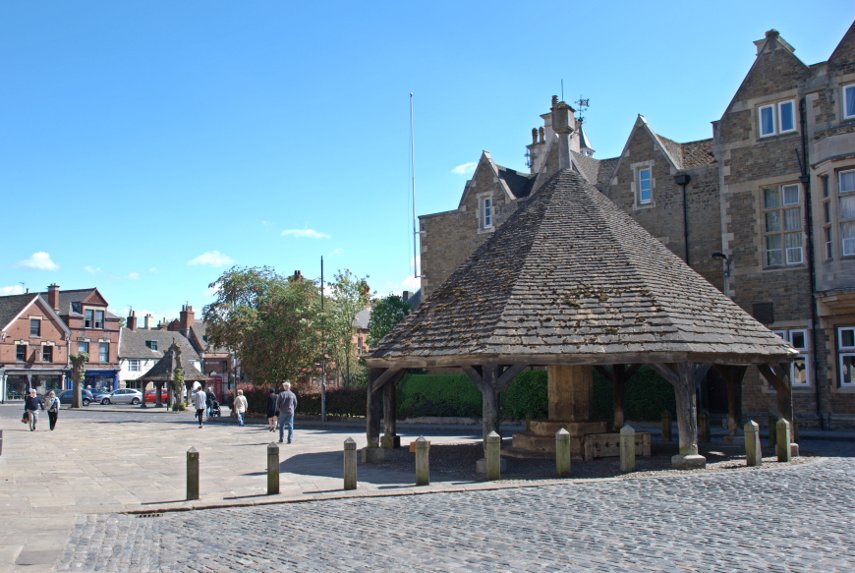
(450, 395)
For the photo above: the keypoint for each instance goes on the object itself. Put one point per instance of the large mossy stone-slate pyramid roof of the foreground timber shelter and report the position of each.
(570, 278)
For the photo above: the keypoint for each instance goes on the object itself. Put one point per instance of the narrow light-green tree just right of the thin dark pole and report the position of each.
(349, 295)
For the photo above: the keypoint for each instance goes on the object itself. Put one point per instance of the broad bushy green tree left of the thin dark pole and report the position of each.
(269, 321)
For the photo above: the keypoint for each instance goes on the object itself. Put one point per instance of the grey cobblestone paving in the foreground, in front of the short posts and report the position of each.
(775, 518)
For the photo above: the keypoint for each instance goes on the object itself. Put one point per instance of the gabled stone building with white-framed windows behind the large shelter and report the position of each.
(764, 211)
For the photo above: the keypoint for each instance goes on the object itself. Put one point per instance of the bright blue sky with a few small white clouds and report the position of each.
(145, 147)
